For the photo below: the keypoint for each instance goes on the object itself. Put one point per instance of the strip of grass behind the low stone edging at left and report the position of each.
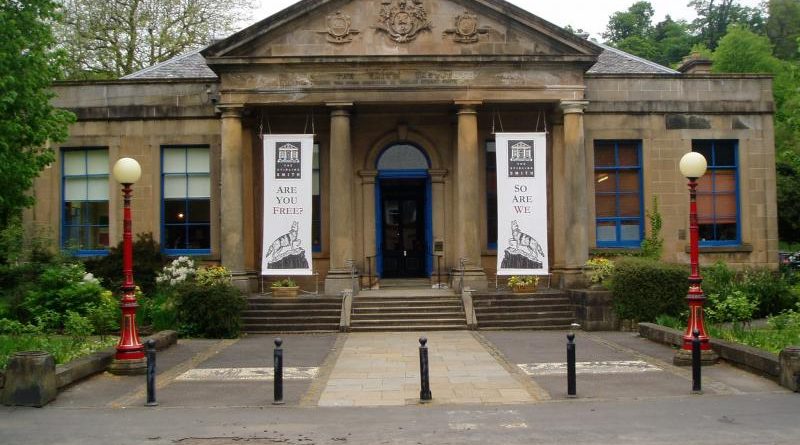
(63, 348)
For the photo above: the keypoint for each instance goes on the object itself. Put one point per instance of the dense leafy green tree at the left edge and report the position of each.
(28, 66)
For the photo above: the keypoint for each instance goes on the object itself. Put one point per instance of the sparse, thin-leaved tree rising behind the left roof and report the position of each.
(112, 38)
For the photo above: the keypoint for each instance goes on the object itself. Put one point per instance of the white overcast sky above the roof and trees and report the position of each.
(589, 15)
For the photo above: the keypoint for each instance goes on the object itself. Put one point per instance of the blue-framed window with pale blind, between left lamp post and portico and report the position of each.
(186, 200)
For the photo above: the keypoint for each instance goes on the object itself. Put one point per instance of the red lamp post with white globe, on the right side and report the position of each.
(693, 166)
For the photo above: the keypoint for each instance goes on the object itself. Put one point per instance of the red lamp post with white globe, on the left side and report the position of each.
(130, 358)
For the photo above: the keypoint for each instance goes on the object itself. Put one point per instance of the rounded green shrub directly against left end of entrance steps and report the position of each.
(209, 311)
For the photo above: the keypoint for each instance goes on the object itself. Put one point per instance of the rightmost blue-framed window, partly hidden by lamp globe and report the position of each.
(717, 193)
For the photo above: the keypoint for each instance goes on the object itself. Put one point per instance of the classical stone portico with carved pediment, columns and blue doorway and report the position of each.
(431, 87)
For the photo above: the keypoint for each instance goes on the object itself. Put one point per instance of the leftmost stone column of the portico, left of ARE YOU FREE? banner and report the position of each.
(231, 202)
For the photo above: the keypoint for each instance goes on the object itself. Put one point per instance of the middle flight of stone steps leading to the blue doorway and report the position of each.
(407, 309)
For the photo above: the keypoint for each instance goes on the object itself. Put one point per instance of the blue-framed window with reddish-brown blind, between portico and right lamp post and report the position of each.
(618, 193)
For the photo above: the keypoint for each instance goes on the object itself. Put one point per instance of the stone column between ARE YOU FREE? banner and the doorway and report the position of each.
(341, 201)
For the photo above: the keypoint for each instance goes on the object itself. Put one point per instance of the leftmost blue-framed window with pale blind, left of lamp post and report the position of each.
(85, 200)
